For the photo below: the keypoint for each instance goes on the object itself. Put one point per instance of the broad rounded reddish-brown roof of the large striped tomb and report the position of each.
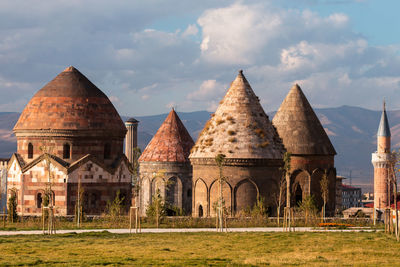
(70, 102)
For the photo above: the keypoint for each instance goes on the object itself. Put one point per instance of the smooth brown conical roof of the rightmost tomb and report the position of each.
(299, 126)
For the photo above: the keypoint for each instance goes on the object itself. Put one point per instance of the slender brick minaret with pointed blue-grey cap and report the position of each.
(381, 161)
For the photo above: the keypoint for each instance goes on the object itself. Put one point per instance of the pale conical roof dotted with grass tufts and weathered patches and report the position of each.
(239, 128)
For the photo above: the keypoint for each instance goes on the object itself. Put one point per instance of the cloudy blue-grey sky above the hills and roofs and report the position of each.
(150, 55)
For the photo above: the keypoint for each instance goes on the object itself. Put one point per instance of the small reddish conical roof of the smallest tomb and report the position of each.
(171, 143)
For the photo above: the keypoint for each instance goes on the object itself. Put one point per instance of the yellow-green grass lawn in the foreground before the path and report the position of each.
(183, 249)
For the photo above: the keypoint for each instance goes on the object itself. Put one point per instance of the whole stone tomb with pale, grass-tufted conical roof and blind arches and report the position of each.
(242, 131)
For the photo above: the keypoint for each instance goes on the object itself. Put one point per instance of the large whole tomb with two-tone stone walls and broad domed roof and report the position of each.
(68, 134)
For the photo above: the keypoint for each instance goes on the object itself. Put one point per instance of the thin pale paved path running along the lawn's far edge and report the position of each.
(189, 230)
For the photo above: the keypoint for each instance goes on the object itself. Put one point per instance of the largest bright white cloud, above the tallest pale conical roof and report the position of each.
(231, 35)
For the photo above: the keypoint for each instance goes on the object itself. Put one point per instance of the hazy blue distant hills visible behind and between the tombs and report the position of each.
(352, 131)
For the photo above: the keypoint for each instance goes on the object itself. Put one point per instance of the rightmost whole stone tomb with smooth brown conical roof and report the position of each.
(312, 153)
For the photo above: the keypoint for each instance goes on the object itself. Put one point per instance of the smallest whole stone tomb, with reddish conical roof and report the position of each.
(165, 166)
